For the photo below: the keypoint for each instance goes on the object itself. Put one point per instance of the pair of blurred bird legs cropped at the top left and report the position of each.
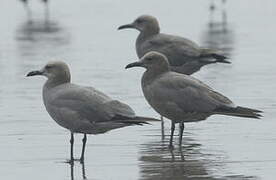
(29, 11)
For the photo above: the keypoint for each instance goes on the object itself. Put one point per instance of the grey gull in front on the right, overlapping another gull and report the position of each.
(182, 98)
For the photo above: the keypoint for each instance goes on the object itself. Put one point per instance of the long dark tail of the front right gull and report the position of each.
(241, 112)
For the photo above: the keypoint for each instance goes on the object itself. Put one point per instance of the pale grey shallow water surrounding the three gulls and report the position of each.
(83, 33)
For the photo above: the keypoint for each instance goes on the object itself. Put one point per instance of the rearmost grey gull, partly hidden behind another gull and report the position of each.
(184, 56)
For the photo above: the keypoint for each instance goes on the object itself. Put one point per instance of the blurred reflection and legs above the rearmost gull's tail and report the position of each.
(219, 33)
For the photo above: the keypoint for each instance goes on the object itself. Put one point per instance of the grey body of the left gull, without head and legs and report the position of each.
(86, 110)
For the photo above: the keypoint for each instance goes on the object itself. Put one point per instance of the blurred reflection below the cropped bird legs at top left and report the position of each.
(41, 38)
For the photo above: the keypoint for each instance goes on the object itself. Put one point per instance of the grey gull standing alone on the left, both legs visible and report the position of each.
(82, 109)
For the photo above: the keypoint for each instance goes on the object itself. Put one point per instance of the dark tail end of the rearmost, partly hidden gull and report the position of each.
(214, 54)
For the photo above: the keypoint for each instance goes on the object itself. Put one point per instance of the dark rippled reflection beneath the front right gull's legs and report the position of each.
(158, 162)
